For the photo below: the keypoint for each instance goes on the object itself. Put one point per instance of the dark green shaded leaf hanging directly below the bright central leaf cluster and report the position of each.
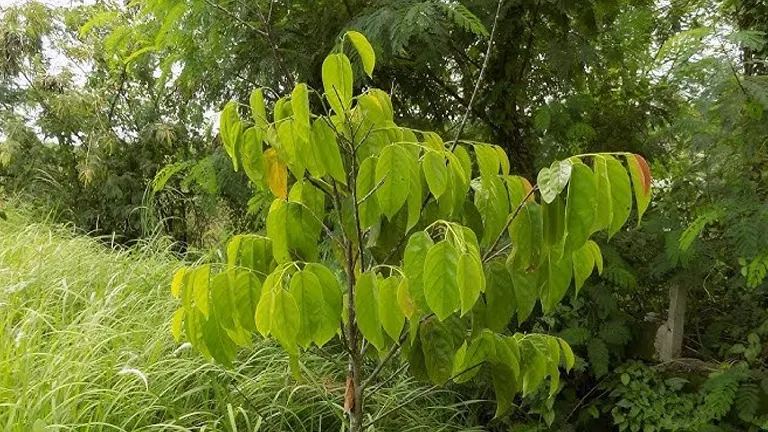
(438, 347)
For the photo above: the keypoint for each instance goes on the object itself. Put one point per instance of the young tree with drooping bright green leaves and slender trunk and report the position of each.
(438, 246)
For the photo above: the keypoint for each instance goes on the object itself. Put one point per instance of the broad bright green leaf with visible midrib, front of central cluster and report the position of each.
(441, 288)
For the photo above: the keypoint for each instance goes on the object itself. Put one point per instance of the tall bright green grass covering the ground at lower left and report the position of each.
(85, 346)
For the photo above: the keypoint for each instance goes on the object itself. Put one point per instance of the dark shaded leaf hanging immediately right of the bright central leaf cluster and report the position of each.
(500, 297)
